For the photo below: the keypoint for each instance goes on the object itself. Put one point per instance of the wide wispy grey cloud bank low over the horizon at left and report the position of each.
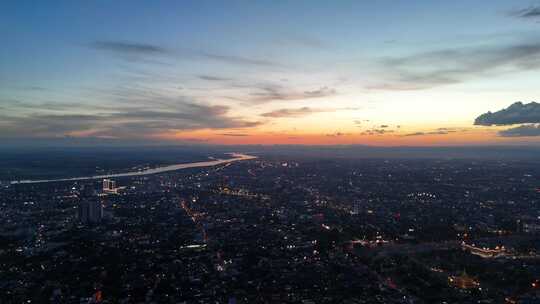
(144, 118)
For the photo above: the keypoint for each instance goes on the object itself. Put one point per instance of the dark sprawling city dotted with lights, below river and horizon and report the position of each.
(279, 230)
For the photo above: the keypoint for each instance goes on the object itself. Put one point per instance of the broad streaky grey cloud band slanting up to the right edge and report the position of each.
(450, 66)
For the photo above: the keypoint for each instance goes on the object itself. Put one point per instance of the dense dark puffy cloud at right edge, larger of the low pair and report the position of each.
(517, 113)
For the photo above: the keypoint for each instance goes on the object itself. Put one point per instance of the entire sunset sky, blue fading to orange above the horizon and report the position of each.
(389, 73)
